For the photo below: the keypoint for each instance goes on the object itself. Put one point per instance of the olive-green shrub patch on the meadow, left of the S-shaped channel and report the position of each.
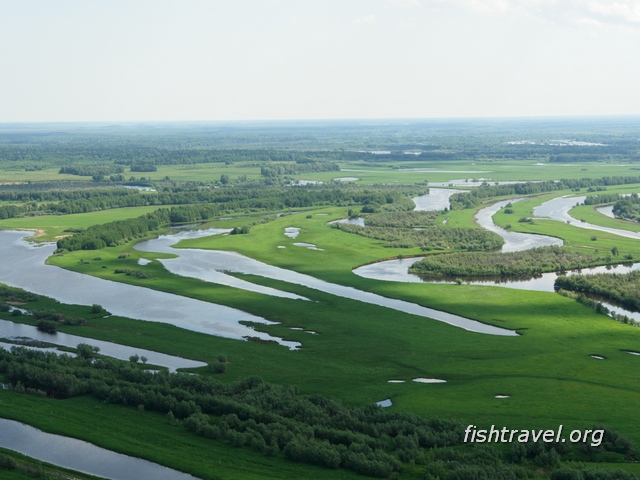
(432, 238)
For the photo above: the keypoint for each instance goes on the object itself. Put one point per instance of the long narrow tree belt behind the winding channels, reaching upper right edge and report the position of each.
(473, 199)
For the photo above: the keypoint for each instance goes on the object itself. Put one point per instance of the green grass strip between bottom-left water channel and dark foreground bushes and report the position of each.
(151, 436)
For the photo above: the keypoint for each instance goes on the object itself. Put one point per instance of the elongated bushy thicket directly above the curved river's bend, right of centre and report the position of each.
(526, 263)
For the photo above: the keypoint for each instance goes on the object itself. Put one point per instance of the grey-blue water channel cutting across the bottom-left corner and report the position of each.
(80, 456)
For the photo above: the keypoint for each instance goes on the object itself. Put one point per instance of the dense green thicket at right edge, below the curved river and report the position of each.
(621, 288)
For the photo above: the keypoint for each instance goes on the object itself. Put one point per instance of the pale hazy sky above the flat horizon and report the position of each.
(199, 60)
